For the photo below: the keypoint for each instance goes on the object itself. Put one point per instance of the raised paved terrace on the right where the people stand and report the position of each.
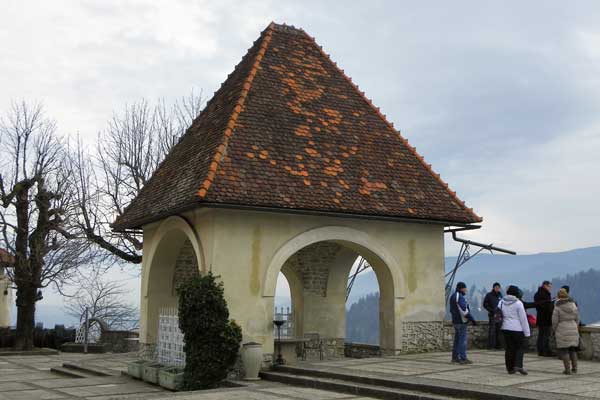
(487, 373)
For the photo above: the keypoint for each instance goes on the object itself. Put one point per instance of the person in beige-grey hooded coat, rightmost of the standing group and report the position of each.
(565, 324)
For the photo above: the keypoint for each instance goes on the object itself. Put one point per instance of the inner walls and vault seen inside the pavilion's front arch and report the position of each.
(319, 272)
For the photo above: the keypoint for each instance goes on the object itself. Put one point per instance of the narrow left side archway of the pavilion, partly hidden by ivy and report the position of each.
(174, 259)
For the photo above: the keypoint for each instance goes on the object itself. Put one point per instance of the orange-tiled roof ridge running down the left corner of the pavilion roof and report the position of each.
(222, 148)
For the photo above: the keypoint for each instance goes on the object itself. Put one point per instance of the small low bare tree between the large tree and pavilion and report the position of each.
(103, 299)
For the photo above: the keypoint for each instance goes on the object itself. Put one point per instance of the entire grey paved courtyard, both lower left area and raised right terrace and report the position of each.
(30, 377)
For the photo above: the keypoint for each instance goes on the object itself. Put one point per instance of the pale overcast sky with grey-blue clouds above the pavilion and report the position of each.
(503, 98)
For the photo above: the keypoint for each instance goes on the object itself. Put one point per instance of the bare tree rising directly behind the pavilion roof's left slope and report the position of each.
(127, 154)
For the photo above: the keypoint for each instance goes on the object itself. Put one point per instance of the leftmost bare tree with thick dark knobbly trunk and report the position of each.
(35, 210)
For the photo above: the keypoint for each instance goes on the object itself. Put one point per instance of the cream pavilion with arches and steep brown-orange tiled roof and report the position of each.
(290, 168)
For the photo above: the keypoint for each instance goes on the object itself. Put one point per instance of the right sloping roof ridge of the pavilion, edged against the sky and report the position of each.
(391, 126)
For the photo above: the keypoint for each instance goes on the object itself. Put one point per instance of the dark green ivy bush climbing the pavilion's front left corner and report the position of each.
(212, 341)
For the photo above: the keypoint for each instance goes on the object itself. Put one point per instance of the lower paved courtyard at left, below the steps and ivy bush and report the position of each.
(30, 378)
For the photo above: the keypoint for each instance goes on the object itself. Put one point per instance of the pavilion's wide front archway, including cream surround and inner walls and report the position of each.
(317, 264)
